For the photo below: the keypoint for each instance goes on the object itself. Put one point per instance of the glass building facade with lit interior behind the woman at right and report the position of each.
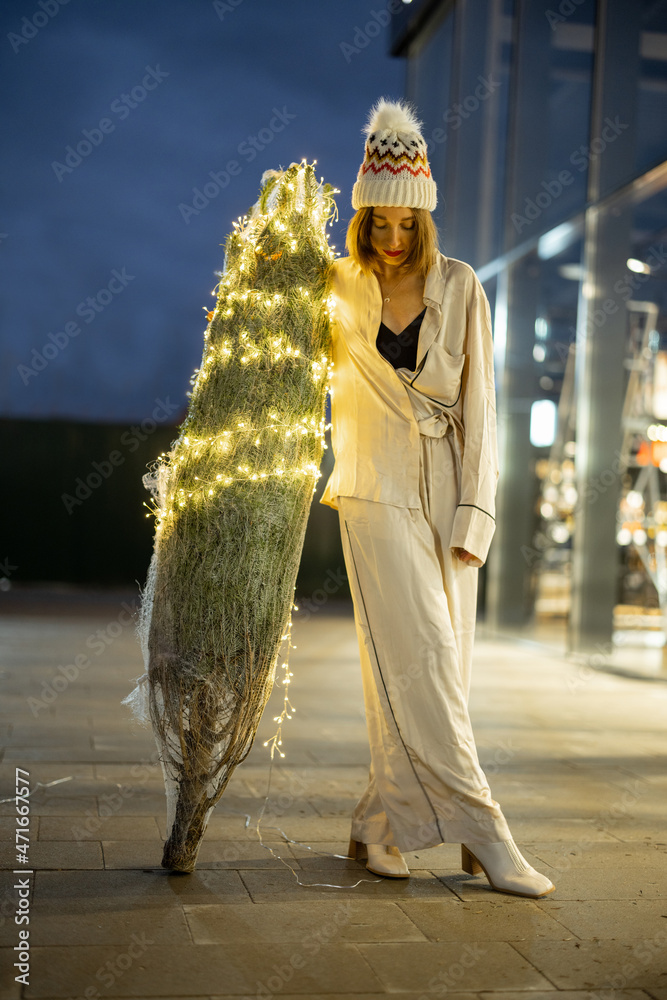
(547, 129)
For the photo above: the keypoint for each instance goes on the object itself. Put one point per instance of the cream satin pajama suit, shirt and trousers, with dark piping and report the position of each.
(415, 475)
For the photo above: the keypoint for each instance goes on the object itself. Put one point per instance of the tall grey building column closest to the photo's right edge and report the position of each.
(602, 331)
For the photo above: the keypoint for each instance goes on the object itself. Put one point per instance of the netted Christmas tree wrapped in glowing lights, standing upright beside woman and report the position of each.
(231, 500)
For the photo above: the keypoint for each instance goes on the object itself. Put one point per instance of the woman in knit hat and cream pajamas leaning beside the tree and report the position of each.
(414, 482)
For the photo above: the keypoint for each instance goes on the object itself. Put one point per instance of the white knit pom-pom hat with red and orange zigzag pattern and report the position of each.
(395, 171)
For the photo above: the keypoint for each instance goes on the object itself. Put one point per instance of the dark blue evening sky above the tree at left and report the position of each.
(201, 79)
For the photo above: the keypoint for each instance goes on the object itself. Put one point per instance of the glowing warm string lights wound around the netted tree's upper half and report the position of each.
(236, 335)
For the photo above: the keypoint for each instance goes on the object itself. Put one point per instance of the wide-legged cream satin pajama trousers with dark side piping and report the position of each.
(415, 606)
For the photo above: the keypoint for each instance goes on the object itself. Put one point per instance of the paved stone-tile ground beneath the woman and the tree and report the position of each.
(575, 757)
